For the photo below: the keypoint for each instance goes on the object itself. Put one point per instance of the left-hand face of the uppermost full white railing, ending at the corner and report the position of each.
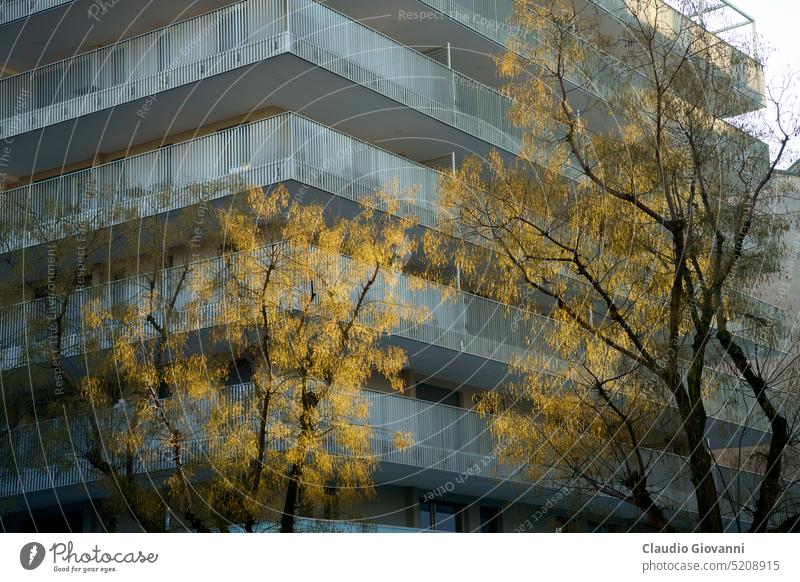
(144, 65)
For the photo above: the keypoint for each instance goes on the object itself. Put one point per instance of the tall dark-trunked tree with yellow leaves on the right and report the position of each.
(632, 236)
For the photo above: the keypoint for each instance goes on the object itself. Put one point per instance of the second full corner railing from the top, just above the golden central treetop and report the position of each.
(262, 153)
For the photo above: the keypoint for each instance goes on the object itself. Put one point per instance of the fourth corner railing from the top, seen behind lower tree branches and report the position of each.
(445, 438)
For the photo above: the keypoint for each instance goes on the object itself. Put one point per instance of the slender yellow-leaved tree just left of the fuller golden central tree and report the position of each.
(143, 326)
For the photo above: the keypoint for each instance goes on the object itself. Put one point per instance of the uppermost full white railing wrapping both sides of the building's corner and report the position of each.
(243, 34)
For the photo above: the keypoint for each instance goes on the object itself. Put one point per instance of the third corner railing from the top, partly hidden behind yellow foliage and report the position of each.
(456, 320)
